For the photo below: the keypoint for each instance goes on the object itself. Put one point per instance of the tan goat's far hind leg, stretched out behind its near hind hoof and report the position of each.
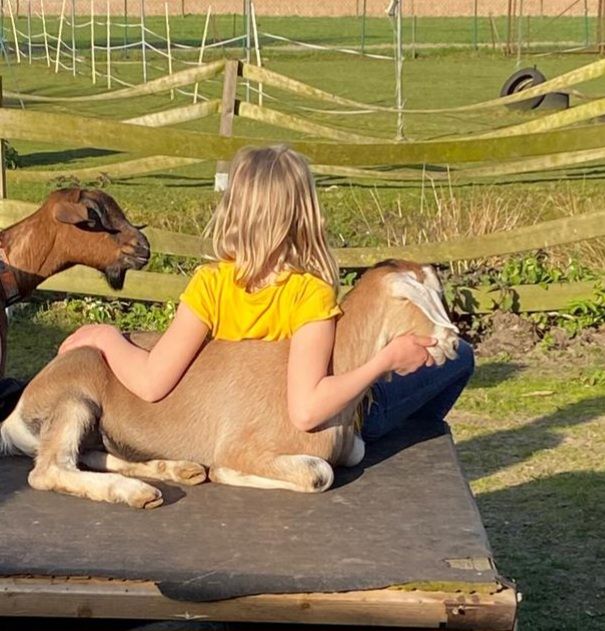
(179, 471)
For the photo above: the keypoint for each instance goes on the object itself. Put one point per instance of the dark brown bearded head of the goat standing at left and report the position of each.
(92, 230)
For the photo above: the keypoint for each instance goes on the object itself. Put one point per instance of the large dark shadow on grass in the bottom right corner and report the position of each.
(548, 536)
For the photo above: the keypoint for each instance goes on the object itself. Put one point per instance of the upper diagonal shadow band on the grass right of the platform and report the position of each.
(484, 455)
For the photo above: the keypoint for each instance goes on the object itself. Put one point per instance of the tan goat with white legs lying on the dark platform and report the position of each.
(228, 413)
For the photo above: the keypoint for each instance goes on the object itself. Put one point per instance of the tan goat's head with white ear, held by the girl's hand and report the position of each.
(406, 298)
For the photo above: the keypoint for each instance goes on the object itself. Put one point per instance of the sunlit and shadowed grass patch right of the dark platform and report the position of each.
(531, 441)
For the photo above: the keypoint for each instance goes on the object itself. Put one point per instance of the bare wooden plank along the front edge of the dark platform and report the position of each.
(98, 598)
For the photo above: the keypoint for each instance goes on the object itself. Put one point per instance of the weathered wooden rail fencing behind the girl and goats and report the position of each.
(156, 148)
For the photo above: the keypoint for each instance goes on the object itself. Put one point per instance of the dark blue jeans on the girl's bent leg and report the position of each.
(426, 395)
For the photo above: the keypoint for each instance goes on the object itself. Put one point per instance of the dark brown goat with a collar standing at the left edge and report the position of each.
(73, 226)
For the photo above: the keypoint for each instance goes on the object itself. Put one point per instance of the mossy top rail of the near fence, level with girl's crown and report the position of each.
(82, 131)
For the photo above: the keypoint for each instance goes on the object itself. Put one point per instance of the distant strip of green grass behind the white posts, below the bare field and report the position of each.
(336, 32)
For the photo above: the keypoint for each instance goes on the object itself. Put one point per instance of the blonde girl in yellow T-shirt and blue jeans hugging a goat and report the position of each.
(275, 278)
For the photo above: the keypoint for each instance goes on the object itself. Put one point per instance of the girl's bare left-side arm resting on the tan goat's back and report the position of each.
(151, 375)
